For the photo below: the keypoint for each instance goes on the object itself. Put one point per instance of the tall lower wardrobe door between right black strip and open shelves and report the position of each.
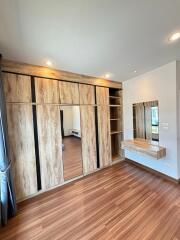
(104, 136)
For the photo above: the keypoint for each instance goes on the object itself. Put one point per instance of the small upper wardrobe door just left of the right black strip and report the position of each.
(87, 94)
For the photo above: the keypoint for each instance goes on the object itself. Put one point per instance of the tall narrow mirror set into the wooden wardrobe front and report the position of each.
(71, 140)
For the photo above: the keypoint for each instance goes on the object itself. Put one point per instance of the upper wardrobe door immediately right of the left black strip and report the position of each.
(46, 90)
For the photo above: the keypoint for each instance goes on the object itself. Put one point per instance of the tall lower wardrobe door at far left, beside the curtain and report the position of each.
(22, 149)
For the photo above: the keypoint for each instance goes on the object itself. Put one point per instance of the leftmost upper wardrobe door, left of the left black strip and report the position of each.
(17, 88)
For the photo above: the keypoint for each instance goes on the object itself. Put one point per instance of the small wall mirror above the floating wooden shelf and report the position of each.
(146, 120)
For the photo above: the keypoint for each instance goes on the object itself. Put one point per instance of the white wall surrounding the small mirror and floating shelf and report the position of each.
(159, 84)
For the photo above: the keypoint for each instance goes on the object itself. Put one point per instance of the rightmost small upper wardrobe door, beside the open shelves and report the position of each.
(102, 96)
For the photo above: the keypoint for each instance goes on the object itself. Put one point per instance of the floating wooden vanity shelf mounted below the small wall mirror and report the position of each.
(144, 147)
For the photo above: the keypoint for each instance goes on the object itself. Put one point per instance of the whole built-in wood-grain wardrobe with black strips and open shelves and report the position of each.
(36, 141)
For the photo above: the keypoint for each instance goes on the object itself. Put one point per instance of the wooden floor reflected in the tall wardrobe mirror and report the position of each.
(72, 157)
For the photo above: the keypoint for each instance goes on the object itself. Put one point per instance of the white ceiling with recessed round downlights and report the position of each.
(91, 36)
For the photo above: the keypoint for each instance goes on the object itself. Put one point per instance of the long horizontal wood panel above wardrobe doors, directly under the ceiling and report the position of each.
(39, 71)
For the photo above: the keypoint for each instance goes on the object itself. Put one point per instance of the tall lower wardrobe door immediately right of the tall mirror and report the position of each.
(88, 134)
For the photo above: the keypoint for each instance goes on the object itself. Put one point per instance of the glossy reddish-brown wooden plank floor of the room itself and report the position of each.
(121, 202)
